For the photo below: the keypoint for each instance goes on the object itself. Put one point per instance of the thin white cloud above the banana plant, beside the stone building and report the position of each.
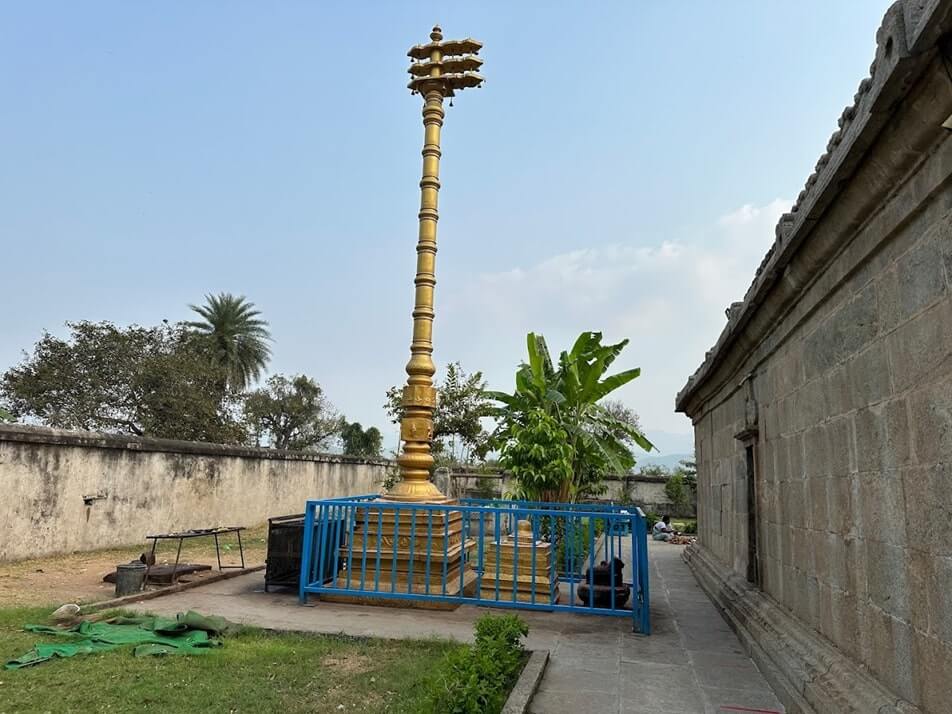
(668, 298)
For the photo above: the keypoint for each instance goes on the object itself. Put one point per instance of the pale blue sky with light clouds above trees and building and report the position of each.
(621, 171)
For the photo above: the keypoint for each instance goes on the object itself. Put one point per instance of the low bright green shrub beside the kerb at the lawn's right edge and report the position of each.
(477, 679)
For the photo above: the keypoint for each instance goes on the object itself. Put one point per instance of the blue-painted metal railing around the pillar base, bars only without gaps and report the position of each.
(561, 524)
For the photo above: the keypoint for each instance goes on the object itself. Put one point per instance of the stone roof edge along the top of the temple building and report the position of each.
(910, 29)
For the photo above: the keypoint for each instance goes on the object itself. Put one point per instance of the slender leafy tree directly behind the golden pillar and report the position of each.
(458, 434)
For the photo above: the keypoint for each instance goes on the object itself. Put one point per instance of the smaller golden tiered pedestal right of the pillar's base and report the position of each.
(515, 572)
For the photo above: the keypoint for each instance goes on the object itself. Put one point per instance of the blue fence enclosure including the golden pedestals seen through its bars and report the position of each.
(497, 553)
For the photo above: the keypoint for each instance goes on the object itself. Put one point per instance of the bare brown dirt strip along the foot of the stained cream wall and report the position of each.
(77, 577)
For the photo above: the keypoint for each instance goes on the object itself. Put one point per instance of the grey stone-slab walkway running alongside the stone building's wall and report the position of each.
(691, 663)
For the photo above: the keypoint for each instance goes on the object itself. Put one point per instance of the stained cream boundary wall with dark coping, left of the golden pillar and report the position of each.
(64, 491)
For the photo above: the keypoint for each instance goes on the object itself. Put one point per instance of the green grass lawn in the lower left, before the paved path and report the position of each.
(256, 671)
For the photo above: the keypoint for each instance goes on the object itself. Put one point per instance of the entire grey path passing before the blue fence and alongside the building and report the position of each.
(691, 664)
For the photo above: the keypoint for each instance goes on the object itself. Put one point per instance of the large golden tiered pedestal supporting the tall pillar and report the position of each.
(417, 564)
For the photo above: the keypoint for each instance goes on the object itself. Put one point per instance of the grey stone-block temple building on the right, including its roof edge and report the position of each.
(823, 415)
